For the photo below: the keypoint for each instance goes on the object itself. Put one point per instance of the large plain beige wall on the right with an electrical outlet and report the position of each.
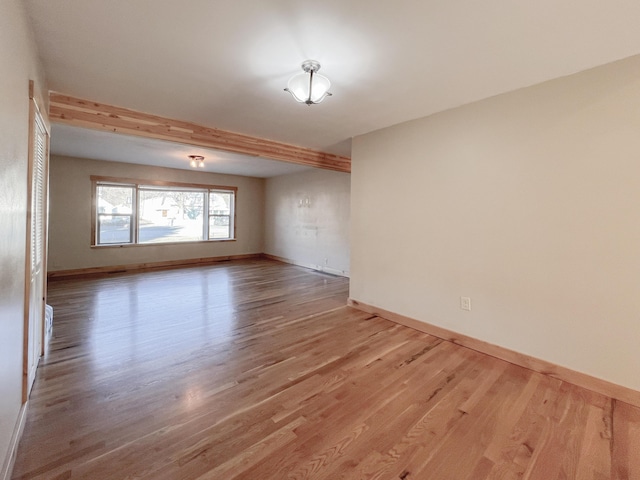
(529, 203)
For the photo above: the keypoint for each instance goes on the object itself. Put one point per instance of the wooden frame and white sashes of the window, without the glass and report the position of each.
(138, 185)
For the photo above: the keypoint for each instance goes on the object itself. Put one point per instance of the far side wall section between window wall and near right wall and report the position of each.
(307, 219)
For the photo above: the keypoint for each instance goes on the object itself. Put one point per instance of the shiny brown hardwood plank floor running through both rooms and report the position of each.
(257, 370)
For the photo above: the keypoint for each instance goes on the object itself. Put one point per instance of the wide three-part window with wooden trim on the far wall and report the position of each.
(137, 212)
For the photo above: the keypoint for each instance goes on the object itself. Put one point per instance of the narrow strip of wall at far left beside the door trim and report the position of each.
(18, 58)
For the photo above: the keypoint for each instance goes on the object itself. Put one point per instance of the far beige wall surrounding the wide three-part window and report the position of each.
(70, 215)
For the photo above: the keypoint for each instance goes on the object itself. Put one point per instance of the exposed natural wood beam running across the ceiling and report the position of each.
(77, 112)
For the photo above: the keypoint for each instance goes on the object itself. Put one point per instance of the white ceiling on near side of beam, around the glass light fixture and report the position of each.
(224, 63)
